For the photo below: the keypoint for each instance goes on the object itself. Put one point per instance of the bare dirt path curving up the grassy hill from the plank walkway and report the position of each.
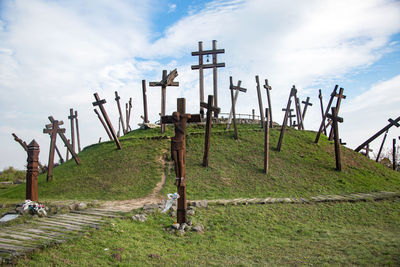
(128, 205)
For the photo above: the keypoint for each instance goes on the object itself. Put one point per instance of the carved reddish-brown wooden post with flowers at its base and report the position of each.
(32, 171)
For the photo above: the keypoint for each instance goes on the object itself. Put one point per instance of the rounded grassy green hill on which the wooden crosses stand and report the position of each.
(302, 168)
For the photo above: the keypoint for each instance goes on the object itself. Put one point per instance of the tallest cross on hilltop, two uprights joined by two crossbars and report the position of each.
(214, 65)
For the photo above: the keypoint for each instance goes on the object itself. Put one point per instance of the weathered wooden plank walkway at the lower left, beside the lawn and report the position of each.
(16, 240)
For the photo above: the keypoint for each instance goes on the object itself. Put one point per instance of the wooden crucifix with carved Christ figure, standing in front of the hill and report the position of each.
(178, 152)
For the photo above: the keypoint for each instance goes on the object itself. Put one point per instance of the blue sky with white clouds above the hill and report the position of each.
(54, 55)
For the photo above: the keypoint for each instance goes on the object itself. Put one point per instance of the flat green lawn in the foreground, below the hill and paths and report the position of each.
(364, 233)
